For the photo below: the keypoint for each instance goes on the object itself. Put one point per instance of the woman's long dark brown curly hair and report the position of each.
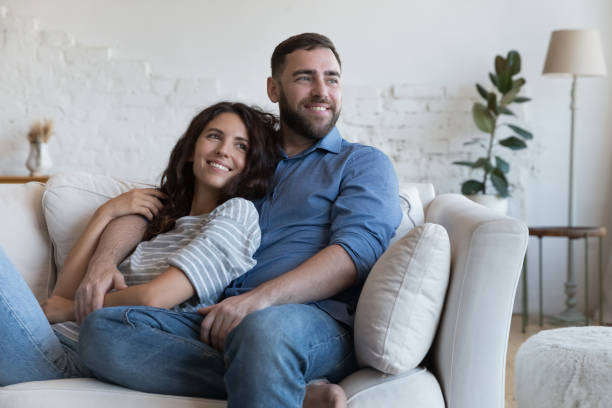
(178, 180)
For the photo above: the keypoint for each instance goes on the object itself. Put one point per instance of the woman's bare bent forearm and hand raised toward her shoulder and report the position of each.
(145, 202)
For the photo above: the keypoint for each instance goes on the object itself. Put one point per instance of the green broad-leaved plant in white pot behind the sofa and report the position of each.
(487, 118)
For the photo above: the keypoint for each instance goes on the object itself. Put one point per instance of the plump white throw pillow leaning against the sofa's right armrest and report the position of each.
(401, 301)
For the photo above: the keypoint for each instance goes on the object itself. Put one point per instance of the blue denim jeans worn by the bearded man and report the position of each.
(268, 360)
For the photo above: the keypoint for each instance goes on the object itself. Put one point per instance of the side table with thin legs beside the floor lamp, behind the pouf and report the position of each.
(569, 233)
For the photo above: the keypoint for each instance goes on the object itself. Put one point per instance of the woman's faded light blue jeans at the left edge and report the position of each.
(29, 348)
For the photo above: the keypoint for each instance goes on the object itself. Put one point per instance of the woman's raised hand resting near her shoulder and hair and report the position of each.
(143, 201)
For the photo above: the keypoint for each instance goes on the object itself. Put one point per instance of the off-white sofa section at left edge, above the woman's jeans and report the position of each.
(24, 237)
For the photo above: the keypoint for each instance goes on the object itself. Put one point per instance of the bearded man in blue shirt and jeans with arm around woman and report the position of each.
(331, 210)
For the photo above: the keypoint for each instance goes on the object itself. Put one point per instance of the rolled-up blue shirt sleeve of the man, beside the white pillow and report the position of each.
(367, 210)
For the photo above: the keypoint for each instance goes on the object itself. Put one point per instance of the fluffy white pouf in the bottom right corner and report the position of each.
(565, 368)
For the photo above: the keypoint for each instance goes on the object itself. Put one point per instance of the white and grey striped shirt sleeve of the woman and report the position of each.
(222, 251)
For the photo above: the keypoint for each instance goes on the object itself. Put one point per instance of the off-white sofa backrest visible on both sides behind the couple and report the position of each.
(44, 222)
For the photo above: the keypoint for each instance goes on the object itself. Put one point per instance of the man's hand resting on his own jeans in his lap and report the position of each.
(220, 319)
